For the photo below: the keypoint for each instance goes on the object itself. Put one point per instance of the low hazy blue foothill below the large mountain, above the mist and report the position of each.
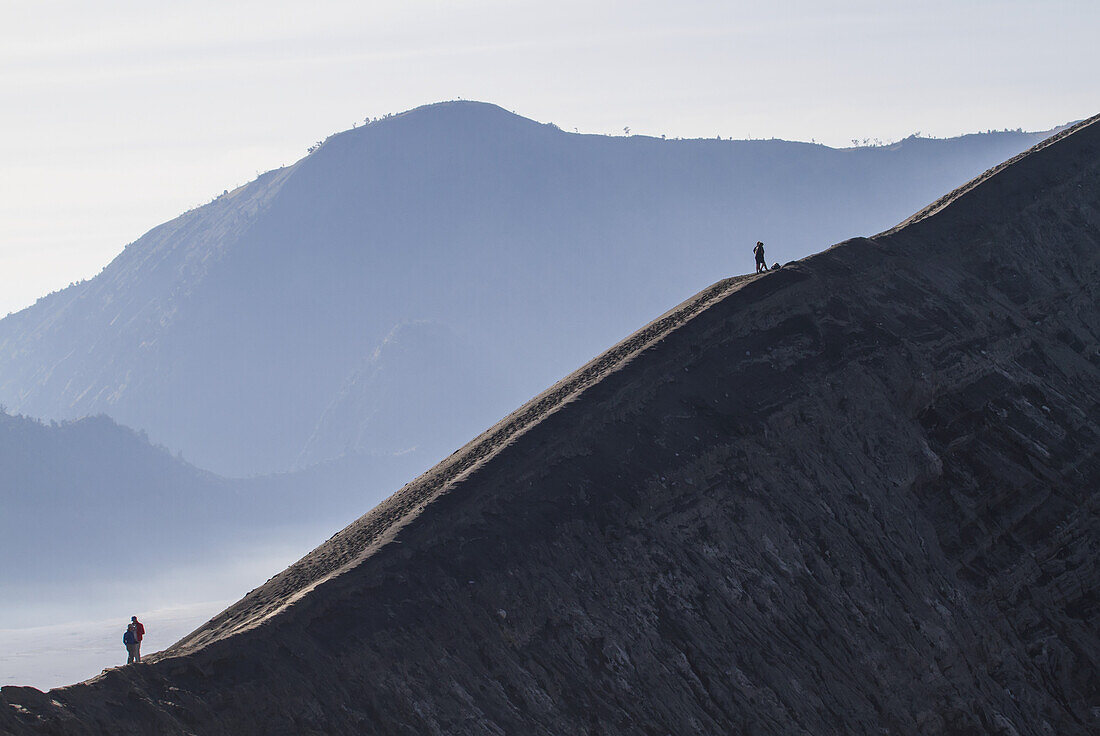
(91, 502)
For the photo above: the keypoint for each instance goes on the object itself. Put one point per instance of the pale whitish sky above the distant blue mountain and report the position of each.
(120, 116)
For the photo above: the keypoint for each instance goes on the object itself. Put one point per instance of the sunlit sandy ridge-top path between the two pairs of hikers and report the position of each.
(361, 539)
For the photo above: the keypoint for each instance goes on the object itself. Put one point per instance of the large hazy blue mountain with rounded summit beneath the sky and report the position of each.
(234, 333)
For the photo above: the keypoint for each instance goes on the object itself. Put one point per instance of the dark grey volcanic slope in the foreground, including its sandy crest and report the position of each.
(855, 496)
